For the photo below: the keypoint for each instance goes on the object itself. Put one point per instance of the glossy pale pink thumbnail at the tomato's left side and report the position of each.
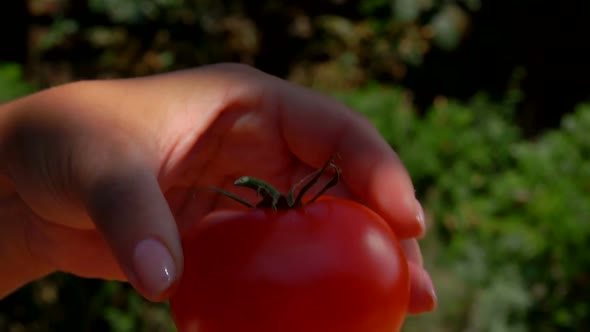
(154, 267)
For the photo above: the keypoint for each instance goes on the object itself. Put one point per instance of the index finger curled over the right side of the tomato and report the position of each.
(315, 127)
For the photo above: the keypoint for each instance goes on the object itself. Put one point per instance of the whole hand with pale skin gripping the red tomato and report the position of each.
(101, 178)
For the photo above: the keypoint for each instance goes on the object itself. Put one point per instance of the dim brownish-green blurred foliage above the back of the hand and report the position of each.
(327, 44)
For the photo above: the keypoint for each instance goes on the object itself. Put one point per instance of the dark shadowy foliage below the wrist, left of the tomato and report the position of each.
(63, 302)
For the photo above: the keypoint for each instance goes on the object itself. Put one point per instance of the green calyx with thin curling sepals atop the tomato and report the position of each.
(272, 198)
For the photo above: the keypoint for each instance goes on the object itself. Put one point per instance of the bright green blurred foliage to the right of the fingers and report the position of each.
(510, 216)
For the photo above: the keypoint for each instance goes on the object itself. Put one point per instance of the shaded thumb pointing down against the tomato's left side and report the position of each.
(130, 211)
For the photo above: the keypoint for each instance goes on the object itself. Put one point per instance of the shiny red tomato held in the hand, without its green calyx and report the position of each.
(333, 265)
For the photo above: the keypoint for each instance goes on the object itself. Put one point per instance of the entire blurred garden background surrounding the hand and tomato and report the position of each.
(485, 101)
